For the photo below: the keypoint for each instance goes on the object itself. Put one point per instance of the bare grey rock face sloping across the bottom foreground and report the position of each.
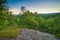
(29, 34)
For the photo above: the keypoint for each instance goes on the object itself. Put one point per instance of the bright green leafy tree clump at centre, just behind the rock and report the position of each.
(28, 20)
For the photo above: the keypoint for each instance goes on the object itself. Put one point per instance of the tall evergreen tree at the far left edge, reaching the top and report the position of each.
(3, 13)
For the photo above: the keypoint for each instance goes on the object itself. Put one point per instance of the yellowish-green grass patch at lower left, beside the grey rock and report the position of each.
(9, 32)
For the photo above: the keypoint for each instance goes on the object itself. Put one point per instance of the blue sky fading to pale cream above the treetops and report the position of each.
(40, 6)
